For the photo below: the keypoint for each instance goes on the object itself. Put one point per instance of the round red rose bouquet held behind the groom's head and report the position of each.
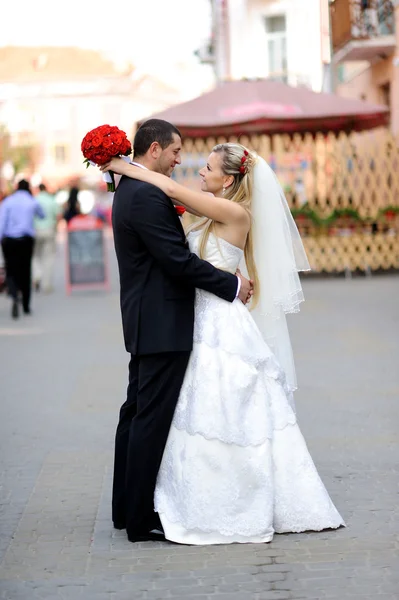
(103, 143)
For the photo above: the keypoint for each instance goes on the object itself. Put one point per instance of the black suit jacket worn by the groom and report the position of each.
(158, 273)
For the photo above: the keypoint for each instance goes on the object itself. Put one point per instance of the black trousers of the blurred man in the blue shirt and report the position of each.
(17, 254)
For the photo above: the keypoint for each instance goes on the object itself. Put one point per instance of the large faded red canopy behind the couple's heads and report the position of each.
(263, 106)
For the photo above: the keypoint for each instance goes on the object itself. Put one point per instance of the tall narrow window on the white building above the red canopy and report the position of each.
(277, 47)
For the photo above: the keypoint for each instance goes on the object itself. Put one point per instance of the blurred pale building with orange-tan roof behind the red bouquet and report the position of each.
(50, 97)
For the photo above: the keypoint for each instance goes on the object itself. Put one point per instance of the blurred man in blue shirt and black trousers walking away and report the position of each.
(17, 233)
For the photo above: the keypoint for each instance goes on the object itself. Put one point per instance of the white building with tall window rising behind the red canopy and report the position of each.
(285, 40)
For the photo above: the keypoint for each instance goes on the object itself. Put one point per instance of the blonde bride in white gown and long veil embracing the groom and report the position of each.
(236, 467)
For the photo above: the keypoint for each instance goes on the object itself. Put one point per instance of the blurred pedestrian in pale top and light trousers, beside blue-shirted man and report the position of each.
(45, 242)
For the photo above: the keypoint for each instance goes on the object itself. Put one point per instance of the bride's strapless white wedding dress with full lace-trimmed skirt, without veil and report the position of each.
(236, 467)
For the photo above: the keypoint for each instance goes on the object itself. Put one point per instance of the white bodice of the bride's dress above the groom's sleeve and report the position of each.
(220, 253)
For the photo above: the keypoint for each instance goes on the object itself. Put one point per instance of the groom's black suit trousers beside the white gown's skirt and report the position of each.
(144, 422)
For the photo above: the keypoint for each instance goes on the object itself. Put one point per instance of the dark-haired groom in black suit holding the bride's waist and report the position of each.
(158, 276)
